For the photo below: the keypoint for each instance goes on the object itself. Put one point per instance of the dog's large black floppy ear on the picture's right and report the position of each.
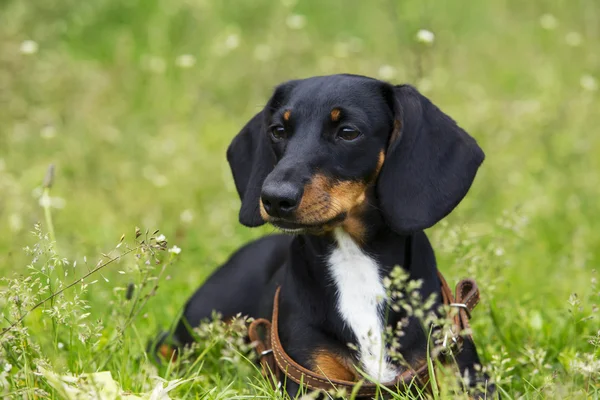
(429, 166)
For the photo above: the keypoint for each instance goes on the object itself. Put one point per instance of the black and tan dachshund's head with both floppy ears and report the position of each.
(324, 147)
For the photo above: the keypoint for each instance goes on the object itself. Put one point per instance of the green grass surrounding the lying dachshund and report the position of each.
(138, 140)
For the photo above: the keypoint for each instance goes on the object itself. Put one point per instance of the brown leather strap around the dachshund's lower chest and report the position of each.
(276, 362)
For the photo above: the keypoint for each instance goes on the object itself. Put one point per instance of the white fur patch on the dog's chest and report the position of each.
(360, 293)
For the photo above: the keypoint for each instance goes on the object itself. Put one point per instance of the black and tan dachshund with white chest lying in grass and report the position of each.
(353, 169)
